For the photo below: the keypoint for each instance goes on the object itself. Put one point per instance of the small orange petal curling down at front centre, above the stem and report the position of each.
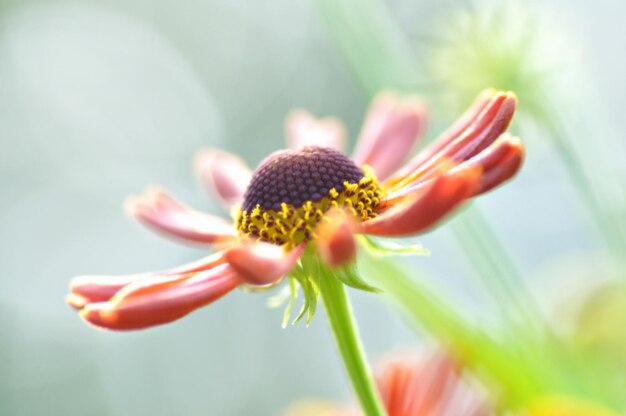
(335, 238)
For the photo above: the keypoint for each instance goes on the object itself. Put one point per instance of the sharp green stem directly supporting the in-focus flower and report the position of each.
(343, 325)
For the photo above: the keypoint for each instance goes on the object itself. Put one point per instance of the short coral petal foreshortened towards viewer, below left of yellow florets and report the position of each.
(262, 263)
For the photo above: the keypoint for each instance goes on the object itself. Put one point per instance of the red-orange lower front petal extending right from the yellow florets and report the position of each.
(418, 213)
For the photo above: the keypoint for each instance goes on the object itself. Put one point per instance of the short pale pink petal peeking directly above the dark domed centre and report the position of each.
(303, 129)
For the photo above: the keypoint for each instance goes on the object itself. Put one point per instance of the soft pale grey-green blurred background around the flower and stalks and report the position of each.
(99, 99)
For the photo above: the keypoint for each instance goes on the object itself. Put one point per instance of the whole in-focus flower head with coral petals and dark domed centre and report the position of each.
(311, 196)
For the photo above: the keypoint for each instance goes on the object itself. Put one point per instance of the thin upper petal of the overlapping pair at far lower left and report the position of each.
(95, 288)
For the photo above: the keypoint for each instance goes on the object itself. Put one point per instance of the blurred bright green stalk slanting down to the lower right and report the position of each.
(527, 364)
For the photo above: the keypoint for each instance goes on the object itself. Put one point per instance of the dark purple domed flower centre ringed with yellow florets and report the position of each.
(291, 191)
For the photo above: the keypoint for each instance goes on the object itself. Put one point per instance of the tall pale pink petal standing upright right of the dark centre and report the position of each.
(391, 129)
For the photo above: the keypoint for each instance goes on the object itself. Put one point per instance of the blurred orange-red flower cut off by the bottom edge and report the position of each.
(415, 384)
